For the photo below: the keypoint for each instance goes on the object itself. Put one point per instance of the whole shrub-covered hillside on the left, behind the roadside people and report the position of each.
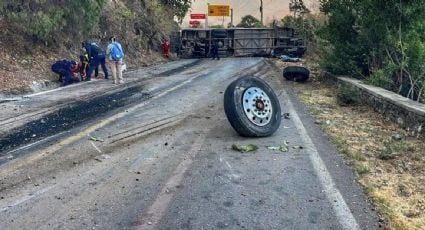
(34, 36)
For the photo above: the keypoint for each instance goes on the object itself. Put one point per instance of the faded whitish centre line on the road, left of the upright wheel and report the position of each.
(157, 209)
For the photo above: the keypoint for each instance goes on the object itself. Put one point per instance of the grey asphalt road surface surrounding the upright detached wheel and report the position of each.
(166, 162)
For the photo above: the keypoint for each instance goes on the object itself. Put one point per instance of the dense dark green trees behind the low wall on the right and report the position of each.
(377, 39)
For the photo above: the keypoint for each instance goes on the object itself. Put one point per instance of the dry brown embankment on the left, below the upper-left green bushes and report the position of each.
(139, 26)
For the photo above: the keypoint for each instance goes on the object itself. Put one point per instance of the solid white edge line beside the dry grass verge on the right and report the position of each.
(343, 213)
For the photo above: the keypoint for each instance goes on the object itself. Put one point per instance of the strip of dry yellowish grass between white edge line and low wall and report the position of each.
(392, 171)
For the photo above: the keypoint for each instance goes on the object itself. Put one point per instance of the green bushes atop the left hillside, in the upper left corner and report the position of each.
(44, 19)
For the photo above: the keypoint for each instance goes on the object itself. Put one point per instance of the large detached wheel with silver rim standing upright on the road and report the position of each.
(252, 107)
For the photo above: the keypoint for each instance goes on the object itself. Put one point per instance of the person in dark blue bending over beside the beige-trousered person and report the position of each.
(97, 57)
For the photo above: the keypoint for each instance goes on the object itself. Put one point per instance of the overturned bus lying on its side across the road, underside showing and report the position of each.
(239, 42)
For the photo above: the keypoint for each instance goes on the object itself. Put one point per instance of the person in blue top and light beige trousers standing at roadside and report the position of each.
(115, 57)
